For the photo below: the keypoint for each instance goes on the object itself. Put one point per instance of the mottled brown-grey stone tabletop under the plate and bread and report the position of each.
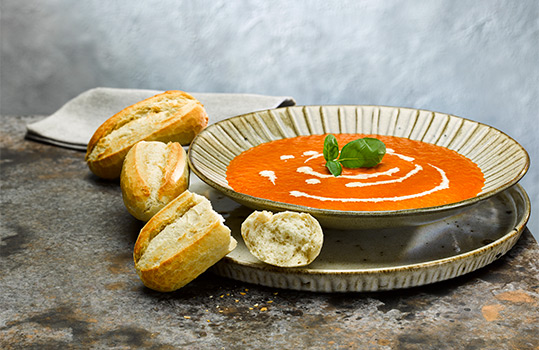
(67, 281)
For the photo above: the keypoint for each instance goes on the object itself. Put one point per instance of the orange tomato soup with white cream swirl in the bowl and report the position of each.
(412, 174)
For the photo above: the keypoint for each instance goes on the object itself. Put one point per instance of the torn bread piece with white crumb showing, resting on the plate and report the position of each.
(286, 239)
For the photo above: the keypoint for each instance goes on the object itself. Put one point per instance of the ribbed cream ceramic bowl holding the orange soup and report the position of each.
(501, 159)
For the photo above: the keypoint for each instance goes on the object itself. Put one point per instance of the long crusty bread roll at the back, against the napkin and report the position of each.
(172, 116)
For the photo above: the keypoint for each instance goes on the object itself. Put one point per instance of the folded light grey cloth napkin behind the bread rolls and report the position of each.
(73, 125)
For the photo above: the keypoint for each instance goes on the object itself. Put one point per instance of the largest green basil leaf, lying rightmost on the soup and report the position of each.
(366, 152)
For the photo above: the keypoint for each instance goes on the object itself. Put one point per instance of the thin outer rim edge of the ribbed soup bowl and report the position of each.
(349, 213)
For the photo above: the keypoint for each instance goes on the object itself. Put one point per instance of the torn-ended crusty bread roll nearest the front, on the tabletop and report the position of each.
(180, 242)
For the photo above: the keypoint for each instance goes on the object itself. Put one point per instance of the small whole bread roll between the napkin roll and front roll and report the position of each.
(153, 174)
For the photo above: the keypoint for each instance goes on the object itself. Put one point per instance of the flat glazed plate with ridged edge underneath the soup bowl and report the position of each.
(391, 258)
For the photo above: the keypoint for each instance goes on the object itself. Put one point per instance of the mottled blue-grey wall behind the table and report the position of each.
(473, 58)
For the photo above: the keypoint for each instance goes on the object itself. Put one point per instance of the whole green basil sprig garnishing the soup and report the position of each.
(361, 153)
